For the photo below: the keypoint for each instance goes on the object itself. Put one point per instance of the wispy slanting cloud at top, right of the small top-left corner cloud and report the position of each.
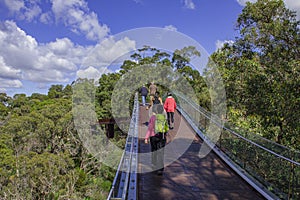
(76, 15)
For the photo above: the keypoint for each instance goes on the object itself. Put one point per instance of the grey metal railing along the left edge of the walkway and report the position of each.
(124, 185)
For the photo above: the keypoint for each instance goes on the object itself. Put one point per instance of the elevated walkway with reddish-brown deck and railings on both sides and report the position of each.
(239, 166)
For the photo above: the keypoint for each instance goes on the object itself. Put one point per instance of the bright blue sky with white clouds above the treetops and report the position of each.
(45, 42)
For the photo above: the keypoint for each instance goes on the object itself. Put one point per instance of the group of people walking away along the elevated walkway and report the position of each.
(159, 124)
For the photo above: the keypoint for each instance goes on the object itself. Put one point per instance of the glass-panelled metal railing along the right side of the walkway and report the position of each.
(272, 169)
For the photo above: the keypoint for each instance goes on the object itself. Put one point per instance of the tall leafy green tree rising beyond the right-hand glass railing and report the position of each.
(261, 70)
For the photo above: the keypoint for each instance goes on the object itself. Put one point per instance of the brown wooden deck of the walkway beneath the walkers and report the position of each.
(187, 176)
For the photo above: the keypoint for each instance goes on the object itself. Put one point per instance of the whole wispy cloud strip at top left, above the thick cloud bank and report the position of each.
(74, 14)
